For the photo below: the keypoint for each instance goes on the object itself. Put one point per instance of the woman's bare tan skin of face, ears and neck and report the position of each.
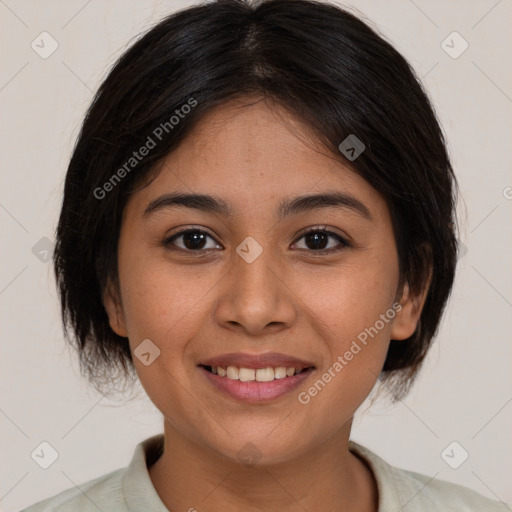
(289, 300)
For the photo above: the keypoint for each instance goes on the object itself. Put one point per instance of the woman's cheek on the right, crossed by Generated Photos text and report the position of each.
(354, 313)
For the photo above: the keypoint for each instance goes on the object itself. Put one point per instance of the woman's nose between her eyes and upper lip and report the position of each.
(257, 296)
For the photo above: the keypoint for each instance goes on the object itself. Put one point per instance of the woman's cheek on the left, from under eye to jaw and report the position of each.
(165, 305)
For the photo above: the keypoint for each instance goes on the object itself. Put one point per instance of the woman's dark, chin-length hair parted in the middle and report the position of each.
(325, 66)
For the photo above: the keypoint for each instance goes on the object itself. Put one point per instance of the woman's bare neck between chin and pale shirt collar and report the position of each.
(188, 477)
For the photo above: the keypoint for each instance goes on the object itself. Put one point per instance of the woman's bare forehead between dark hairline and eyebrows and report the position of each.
(253, 153)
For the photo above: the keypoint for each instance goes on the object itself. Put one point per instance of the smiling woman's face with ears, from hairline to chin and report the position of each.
(247, 285)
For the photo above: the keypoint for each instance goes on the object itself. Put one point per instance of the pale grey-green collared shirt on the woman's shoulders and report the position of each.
(130, 489)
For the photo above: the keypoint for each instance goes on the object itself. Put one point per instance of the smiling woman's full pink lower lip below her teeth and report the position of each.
(254, 391)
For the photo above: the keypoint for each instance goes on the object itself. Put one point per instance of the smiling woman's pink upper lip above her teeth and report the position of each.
(268, 359)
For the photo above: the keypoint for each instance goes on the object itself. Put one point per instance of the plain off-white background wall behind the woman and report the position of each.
(464, 392)
